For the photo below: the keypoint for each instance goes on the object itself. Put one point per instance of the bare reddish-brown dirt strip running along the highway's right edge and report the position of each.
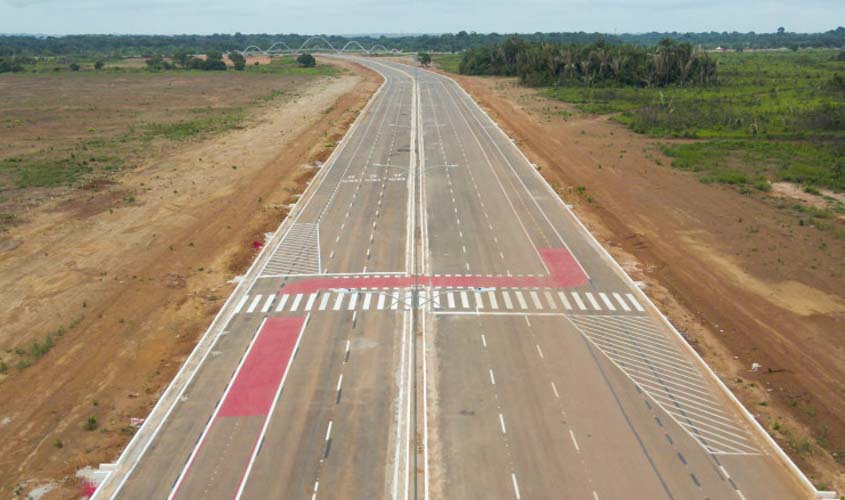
(743, 280)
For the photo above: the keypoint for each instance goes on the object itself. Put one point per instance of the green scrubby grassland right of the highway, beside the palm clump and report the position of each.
(771, 116)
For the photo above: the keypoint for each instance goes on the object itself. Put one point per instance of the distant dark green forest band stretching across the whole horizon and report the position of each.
(129, 45)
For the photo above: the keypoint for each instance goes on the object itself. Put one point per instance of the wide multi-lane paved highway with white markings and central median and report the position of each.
(431, 321)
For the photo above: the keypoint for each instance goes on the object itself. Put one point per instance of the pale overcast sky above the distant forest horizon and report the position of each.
(414, 16)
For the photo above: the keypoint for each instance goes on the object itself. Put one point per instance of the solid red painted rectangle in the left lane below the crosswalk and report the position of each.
(258, 380)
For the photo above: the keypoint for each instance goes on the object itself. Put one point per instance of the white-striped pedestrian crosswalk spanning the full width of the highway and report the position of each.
(462, 299)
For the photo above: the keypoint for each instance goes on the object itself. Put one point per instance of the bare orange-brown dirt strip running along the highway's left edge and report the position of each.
(127, 289)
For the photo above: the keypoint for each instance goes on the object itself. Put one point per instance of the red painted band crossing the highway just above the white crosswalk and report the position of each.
(565, 272)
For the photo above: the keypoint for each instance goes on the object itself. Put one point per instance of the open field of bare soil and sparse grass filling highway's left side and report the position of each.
(112, 275)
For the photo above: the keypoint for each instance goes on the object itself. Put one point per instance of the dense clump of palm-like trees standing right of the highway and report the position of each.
(599, 63)
